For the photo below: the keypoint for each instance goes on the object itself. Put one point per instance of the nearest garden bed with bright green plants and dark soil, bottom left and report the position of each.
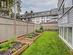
(9, 47)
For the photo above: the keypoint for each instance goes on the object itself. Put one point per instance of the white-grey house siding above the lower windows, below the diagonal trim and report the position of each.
(67, 19)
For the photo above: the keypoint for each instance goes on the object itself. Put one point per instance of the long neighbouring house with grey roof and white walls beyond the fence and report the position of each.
(42, 17)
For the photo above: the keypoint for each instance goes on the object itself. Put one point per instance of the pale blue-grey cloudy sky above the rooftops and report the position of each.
(37, 5)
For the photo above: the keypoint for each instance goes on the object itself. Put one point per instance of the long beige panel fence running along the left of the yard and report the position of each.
(10, 28)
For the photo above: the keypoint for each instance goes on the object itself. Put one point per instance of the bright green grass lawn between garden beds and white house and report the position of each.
(48, 44)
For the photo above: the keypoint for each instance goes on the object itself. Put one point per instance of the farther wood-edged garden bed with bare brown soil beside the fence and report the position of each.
(28, 39)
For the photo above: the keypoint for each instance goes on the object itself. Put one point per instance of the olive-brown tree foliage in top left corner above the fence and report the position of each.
(8, 5)
